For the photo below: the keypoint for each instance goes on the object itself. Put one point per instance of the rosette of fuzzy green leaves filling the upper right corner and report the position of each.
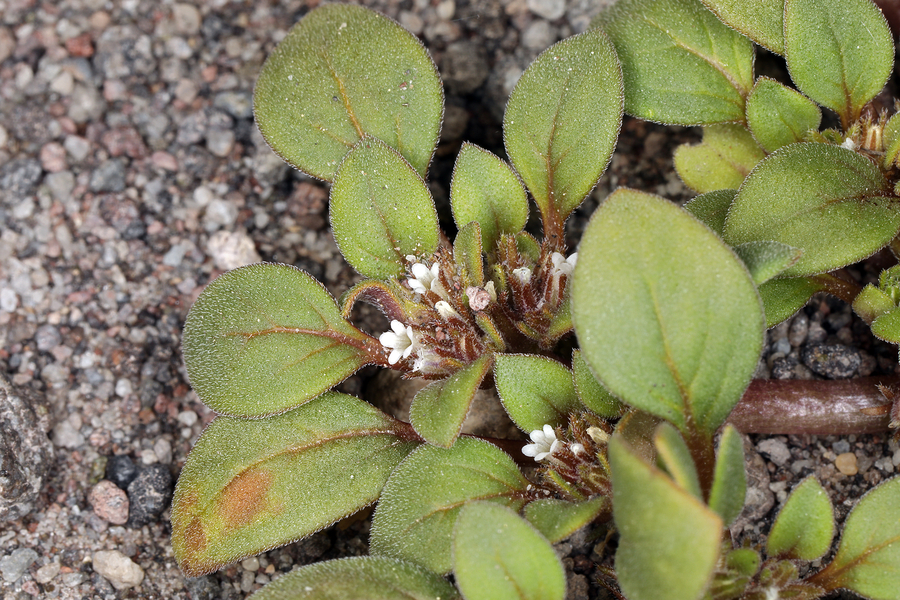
(803, 202)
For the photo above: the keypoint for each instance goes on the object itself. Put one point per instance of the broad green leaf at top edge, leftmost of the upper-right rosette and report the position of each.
(681, 65)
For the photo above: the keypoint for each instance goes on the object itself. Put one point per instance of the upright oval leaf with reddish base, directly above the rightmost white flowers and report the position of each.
(562, 121)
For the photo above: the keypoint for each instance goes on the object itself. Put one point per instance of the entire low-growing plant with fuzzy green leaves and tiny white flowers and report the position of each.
(665, 317)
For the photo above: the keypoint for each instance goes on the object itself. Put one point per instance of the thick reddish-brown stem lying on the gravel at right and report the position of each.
(814, 407)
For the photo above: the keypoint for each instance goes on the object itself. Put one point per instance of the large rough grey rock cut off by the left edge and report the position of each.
(26, 453)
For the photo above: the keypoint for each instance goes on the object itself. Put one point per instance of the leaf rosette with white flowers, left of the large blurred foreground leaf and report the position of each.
(352, 98)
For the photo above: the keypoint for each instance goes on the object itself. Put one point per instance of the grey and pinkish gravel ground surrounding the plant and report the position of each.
(131, 174)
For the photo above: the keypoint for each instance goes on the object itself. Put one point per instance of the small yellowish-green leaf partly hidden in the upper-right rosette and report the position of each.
(722, 161)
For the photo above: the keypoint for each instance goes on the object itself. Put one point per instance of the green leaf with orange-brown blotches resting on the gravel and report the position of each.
(251, 485)
